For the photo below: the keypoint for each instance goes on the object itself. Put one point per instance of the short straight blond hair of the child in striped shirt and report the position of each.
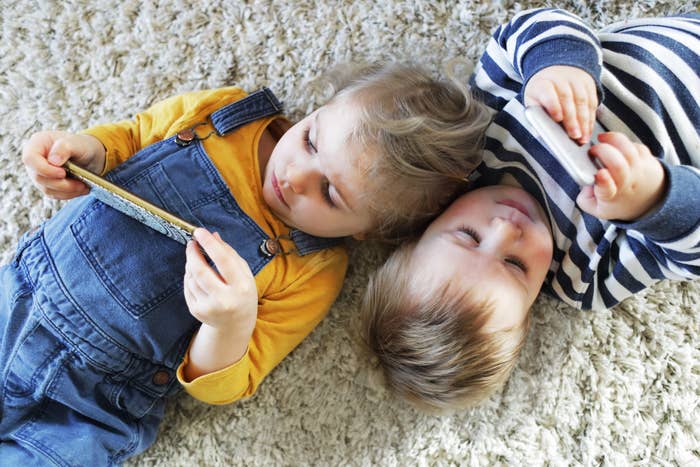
(432, 348)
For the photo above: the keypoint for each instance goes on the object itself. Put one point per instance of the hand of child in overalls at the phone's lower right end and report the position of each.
(227, 300)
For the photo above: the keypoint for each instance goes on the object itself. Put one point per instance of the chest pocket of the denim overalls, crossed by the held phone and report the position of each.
(139, 267)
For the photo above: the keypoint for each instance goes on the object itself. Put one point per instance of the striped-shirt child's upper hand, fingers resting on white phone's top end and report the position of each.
(568, 94)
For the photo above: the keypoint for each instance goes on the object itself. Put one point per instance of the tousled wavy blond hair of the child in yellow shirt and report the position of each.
(427, 134)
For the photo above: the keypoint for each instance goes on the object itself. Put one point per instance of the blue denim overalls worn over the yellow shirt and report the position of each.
(93, 318)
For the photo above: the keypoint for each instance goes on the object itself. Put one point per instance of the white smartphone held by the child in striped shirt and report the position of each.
(573, 157)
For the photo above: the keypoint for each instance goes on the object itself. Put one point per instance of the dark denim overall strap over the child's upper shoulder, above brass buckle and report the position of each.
(255, 106)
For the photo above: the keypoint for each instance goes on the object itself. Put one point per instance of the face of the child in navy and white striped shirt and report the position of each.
(497, 238)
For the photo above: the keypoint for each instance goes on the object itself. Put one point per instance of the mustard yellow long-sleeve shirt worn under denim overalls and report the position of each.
(294, 292)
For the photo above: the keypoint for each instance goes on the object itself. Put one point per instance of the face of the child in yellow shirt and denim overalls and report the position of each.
(313, 179)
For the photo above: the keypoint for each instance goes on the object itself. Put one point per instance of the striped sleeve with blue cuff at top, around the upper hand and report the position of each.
(531, 41)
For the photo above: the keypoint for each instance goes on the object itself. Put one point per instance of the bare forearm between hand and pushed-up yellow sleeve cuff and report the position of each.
(213, 349)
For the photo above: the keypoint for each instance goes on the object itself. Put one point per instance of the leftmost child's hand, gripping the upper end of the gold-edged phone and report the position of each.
(45, 152)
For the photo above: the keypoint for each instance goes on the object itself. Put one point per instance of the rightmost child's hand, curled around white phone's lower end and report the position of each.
(631, 184)
